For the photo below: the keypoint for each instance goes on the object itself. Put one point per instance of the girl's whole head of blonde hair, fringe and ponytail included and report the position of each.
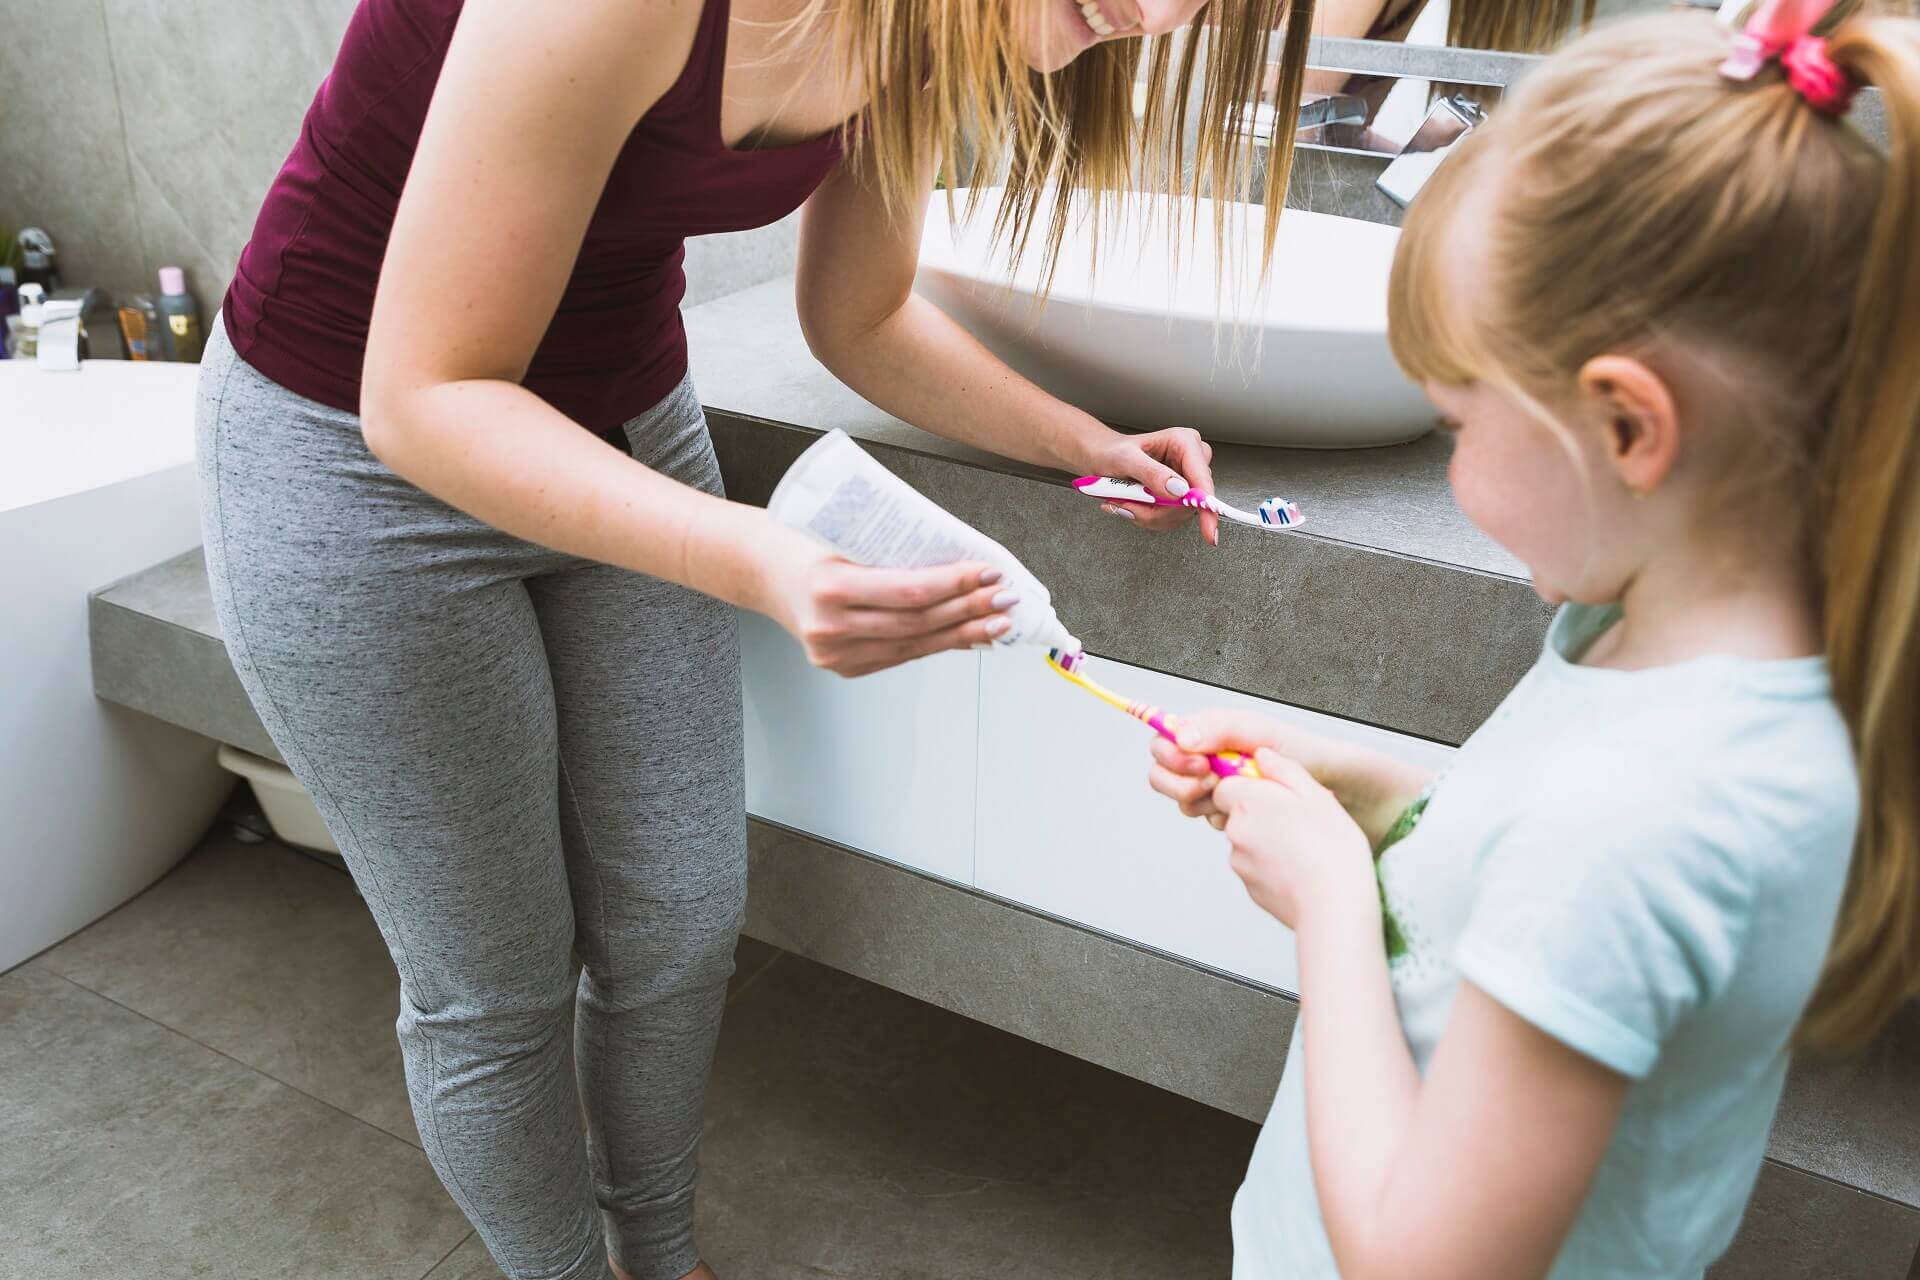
(1635, 201)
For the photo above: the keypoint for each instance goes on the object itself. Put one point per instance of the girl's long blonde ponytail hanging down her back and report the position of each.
(1873, 569)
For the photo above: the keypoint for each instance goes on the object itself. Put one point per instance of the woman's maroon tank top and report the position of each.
(302, 296)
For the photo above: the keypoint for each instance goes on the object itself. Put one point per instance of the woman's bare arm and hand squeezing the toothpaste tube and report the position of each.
(523, 131)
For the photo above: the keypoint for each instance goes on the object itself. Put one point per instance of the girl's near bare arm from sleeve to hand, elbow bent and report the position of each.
(1472, 1173)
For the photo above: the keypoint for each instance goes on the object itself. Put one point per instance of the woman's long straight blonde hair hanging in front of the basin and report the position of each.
(951, 97)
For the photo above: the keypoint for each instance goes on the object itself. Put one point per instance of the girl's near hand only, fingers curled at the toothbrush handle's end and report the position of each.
(1293, 845)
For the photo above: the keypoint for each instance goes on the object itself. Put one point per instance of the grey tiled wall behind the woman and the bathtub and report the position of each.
(143, 133)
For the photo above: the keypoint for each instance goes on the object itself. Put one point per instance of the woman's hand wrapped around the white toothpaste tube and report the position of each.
(855, 621)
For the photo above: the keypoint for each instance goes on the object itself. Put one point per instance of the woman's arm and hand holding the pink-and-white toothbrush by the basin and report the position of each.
(865, 323)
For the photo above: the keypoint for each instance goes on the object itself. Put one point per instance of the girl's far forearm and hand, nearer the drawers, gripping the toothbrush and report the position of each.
(1370, 786)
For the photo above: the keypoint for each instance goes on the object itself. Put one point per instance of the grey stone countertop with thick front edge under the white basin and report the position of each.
(1387, 607)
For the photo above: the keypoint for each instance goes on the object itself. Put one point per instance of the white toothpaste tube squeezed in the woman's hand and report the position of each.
(850, 502)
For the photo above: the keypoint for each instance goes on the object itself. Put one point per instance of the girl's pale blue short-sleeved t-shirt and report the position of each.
(1646, 866)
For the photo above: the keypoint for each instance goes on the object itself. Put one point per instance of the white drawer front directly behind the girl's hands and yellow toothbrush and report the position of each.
(1070, 826)
